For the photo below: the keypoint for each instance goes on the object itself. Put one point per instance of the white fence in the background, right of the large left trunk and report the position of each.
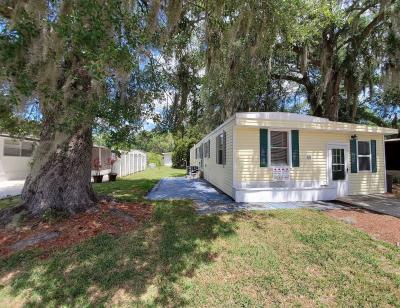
(130, 162)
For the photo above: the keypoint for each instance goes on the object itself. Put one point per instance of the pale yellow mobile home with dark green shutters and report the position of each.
(273, 156)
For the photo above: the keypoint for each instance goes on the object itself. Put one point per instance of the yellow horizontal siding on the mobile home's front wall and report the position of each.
(312, 143)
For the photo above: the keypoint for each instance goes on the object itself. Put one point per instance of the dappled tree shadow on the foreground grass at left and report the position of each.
(140, 267)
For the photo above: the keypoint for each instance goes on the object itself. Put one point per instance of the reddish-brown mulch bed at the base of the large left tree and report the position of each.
(107, 217)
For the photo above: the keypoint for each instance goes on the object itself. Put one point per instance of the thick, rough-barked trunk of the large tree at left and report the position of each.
(61, 172)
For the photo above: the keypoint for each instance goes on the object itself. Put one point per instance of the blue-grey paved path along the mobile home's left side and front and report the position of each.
(209, 200)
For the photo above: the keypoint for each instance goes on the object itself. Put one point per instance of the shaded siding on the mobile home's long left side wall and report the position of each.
(221, 176)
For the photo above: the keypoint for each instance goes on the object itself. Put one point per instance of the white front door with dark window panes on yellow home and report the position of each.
(338, 168)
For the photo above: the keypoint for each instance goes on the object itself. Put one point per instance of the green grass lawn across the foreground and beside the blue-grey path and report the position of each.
(288, 257)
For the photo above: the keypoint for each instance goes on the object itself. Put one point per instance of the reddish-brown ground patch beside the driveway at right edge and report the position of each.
(379, 226)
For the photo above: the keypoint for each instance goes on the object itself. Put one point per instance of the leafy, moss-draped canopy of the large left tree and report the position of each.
(86, 63)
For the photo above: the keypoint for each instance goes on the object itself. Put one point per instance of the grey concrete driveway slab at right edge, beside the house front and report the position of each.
(381, 203)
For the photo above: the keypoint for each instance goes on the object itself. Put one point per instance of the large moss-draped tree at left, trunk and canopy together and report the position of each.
(82, 63)
